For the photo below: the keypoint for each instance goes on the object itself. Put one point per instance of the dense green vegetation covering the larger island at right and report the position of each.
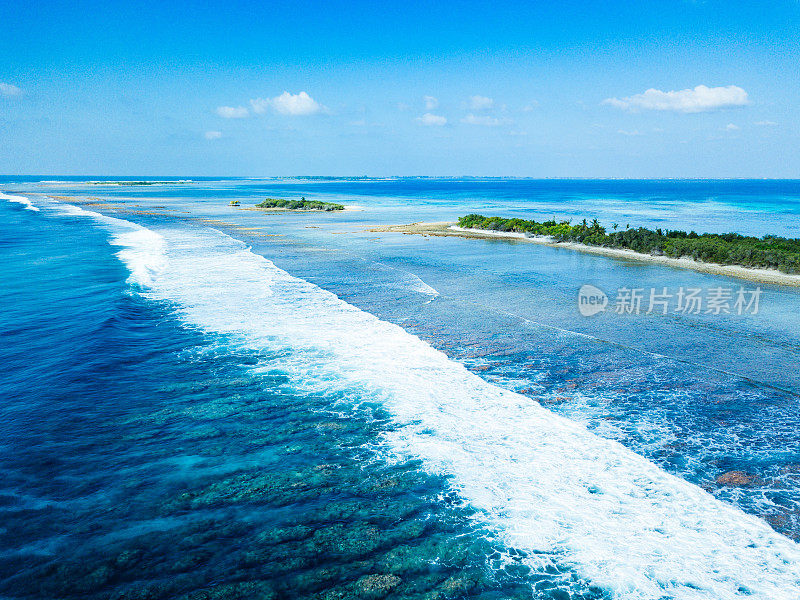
(769, 252)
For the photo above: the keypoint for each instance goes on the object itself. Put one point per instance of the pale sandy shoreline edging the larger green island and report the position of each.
(450, 229)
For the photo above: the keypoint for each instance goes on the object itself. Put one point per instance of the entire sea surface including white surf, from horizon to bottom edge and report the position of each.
(185, 420)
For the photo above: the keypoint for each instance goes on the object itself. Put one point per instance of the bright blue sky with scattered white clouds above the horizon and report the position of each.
(540, 89)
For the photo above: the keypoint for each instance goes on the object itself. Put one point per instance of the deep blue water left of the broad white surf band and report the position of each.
(142, 459)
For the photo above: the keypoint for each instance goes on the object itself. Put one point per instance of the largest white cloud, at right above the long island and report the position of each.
(700, 99)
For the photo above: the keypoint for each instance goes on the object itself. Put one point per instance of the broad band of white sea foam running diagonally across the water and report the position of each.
(545, 483)
